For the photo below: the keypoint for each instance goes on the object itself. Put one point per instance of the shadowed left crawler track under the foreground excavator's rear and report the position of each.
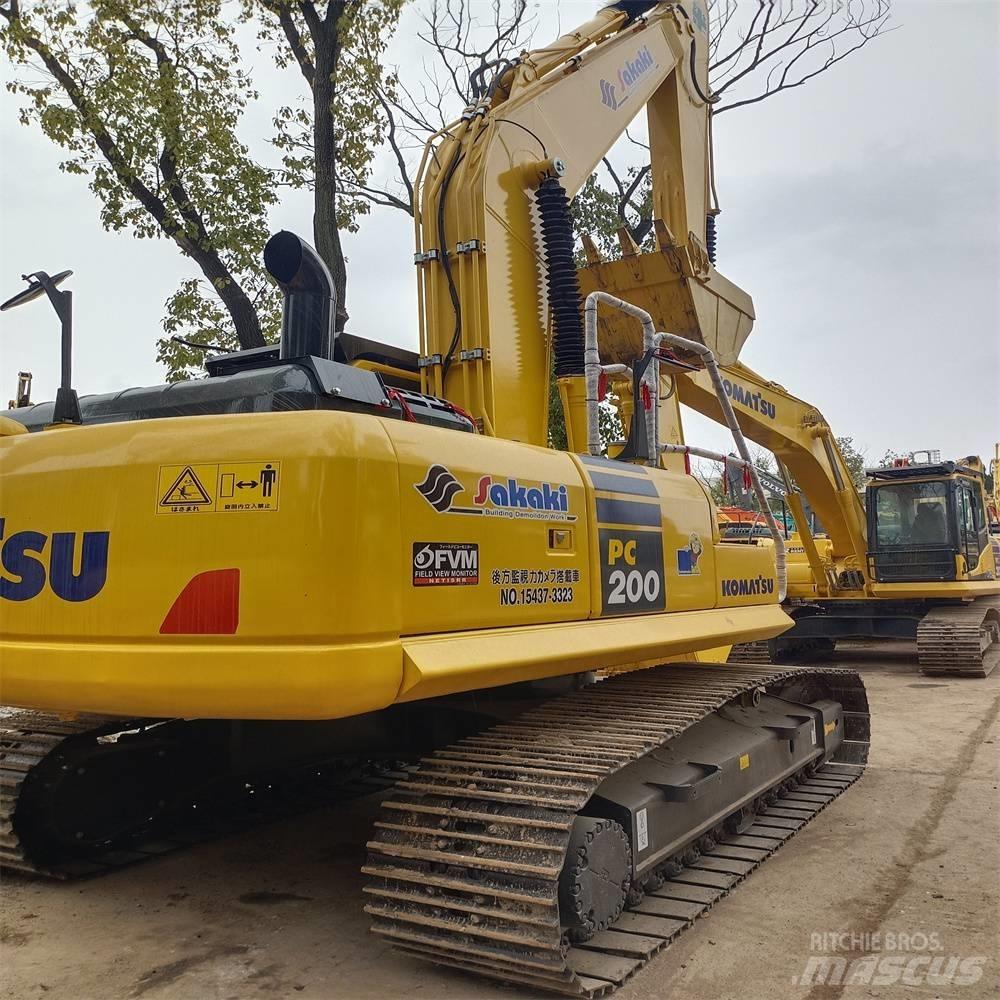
(34, 745)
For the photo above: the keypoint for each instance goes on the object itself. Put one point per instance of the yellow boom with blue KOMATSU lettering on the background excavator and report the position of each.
(807, 451)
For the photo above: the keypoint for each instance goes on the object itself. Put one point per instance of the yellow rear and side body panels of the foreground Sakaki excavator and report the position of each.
(330, 618)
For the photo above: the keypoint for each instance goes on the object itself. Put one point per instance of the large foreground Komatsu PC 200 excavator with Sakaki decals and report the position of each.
(217, 592)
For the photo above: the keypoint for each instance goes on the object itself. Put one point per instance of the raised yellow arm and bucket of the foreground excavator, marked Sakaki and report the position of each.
(494, 238)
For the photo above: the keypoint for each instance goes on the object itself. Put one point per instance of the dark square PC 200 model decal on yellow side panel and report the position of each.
(631, 571)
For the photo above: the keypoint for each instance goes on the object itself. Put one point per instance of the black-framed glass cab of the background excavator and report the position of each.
(927, 522)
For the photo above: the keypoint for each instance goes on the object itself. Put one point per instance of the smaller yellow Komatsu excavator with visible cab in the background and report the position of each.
(914, 560)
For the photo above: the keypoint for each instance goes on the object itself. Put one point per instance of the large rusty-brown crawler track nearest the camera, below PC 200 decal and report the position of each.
(466, 858)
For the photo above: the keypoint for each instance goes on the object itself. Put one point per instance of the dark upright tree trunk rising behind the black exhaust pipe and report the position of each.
(326, 232)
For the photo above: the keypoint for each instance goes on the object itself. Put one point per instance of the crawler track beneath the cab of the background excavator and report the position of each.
(960, 639)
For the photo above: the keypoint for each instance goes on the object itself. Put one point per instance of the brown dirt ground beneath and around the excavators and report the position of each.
(902, 867)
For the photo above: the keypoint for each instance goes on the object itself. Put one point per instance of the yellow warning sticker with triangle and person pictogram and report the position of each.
(218, 488)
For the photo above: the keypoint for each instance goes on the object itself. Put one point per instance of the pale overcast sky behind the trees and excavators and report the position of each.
(862, 212)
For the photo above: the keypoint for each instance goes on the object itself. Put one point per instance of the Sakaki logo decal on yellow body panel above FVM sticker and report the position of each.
(496, 497)
